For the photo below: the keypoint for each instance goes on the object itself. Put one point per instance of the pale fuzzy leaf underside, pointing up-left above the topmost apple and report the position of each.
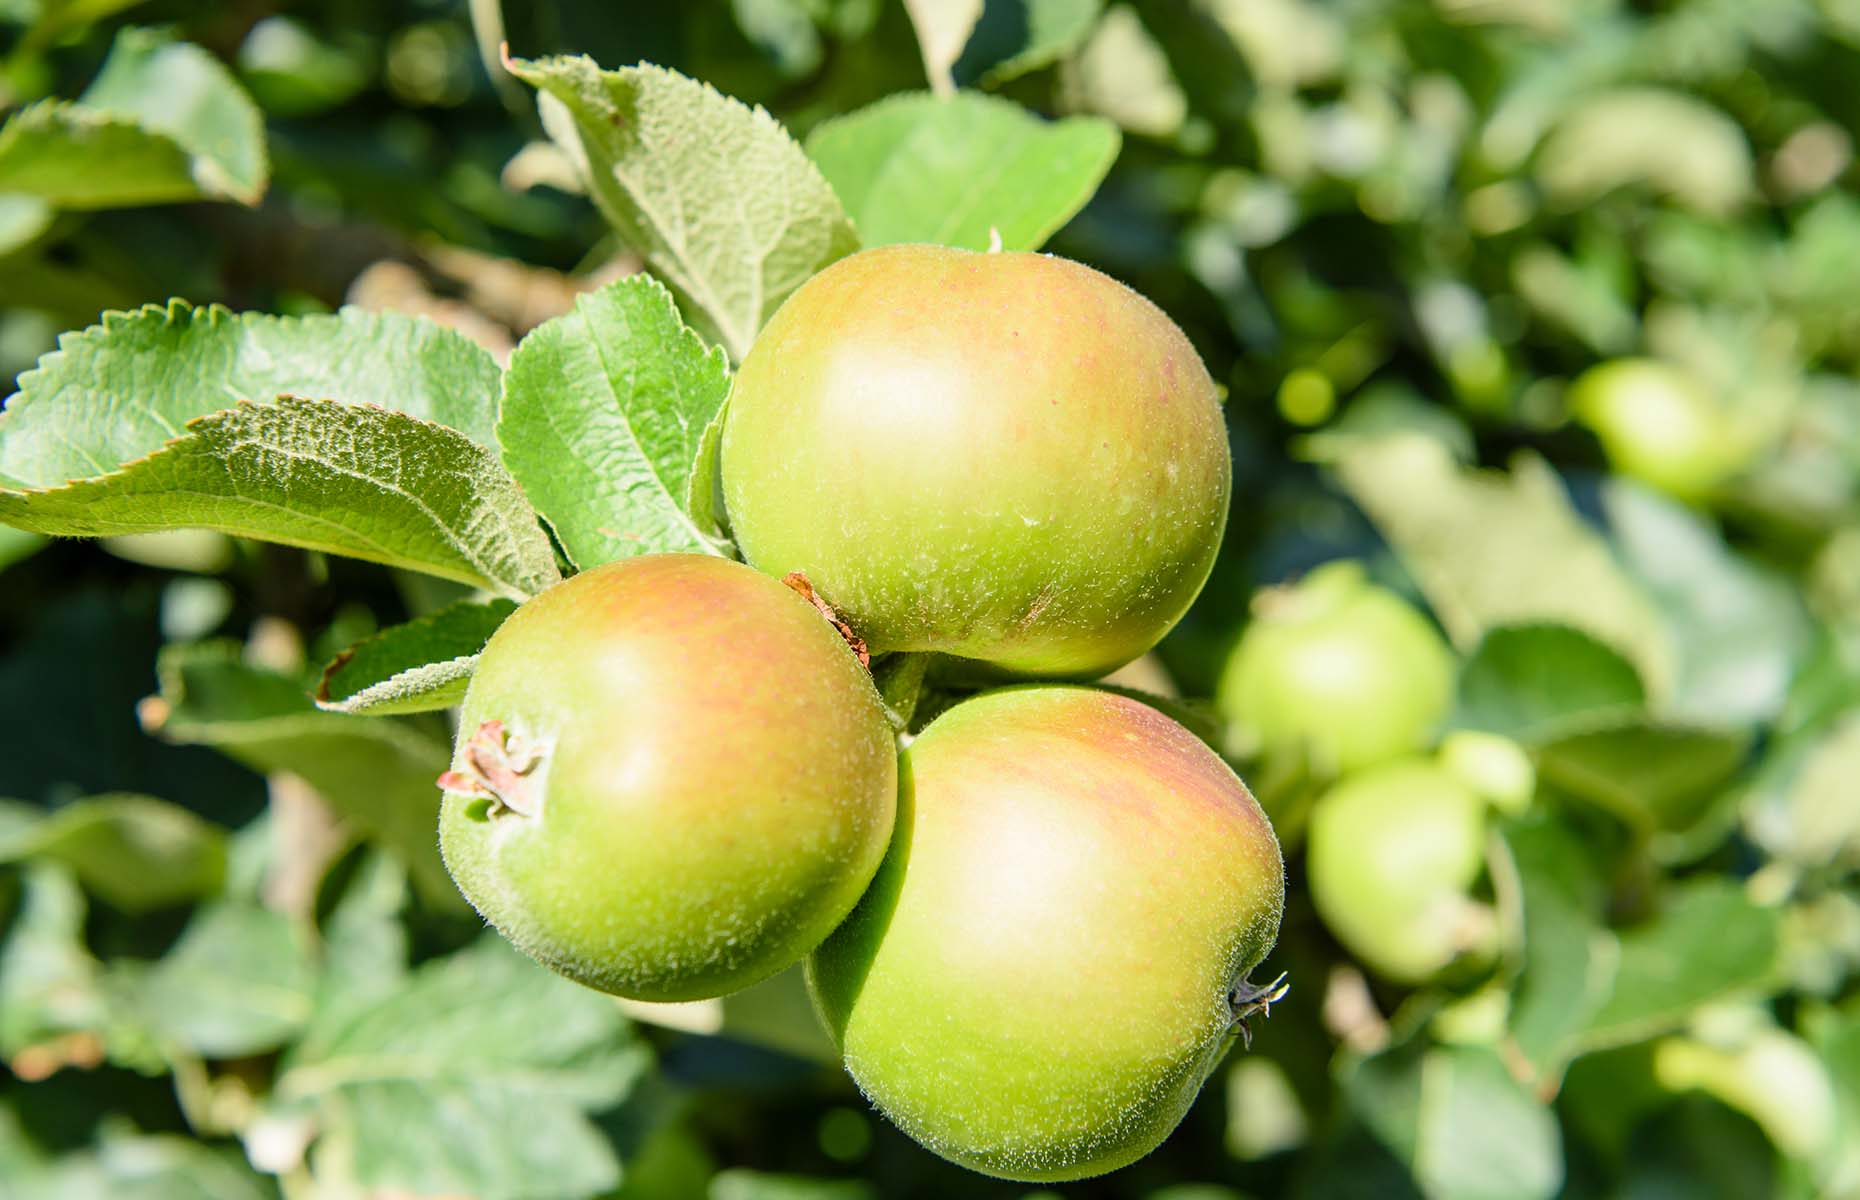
(715, 194)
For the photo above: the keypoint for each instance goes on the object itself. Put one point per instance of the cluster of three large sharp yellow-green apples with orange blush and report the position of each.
(1031, 929)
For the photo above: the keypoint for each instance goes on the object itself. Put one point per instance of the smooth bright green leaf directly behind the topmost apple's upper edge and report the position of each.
(953, 170)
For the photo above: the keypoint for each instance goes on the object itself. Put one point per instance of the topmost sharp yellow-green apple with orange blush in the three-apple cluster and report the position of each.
(998, 457)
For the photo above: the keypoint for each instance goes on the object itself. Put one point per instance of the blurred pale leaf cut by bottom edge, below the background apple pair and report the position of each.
(1459, 1123)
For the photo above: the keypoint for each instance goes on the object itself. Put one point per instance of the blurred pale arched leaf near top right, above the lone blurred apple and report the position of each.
(1666, 140)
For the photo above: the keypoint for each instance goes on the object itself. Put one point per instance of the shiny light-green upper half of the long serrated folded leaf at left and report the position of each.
(124, 388)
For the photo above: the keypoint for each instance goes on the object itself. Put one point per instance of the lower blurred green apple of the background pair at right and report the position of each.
(1390, 859)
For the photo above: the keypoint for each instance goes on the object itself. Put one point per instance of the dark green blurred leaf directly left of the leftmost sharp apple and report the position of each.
(380, 773)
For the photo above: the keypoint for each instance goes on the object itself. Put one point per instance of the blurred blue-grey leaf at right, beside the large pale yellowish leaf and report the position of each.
(1740, 630)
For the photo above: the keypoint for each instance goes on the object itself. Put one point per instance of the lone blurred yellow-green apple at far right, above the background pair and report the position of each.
(1660, 425)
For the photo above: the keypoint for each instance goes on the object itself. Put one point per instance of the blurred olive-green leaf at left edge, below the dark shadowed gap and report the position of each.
(137, 853)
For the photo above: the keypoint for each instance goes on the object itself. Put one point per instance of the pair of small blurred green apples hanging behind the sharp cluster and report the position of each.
(1346, 684)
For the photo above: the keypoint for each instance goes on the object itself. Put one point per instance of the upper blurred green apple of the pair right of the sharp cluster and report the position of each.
(1338, 669)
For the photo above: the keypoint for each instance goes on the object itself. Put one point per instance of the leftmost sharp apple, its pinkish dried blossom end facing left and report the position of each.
(715, 784)
